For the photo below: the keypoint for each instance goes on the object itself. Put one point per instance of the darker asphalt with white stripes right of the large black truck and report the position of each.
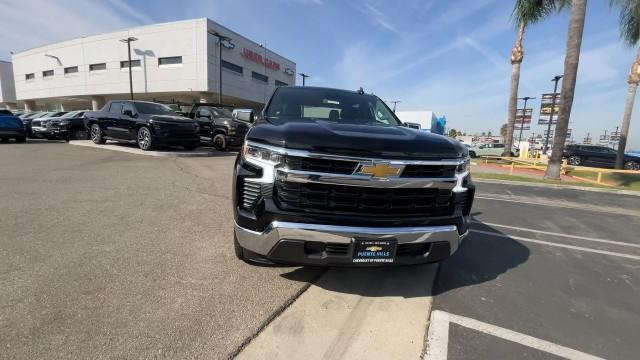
(563, 274)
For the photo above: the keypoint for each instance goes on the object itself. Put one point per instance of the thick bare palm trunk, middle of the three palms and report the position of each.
(571, 60)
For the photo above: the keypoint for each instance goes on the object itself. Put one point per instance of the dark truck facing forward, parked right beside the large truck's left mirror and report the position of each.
(219, 125)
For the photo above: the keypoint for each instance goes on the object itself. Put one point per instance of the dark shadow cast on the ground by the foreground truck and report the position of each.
(481, 258)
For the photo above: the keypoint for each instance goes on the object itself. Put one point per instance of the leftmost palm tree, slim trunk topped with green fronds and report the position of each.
(525, 13)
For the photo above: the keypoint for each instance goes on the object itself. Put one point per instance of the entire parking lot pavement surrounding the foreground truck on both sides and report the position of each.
(106, 254)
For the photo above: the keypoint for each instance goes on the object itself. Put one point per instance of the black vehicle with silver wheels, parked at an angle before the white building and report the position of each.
(146, 123)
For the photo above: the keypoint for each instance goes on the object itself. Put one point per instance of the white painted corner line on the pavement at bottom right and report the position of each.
(438, 337)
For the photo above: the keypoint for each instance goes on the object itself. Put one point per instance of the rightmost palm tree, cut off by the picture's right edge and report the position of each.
(630, 34)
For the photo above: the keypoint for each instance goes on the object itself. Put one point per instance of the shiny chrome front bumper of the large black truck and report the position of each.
(263, 242)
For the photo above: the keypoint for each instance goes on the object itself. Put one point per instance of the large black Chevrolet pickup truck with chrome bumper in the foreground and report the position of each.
(332, 177)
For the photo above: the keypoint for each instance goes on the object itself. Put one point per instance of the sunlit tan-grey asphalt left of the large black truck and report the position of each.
(113, 255)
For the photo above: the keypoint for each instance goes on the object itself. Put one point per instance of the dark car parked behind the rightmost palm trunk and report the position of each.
(597, 156)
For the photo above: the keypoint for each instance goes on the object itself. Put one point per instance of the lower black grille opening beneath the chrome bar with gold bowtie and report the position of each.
(312, 197)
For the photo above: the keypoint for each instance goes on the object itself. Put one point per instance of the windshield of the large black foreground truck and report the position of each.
(339, 106)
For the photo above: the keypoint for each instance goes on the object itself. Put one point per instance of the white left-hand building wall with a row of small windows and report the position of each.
(181, 38)
